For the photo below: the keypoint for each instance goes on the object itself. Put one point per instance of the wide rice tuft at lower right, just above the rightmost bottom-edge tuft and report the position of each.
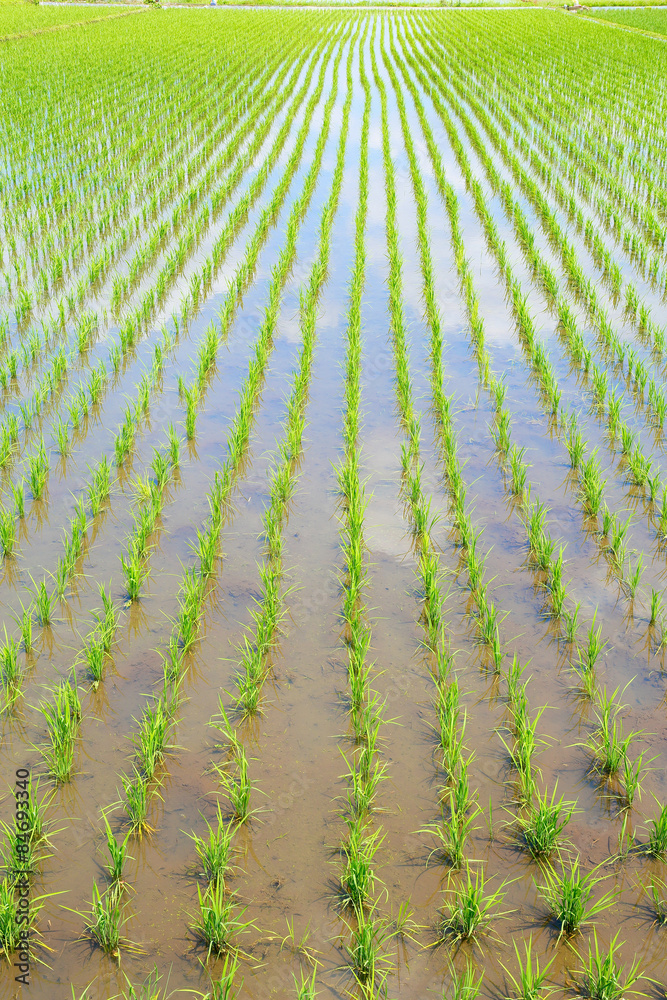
(568, 897)
